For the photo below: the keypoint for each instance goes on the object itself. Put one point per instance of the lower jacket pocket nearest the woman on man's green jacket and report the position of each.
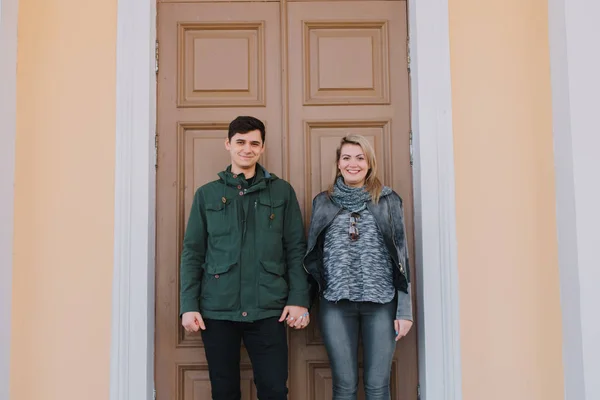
(273, 287)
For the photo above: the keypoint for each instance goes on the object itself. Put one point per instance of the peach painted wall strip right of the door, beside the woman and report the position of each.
(511, 336)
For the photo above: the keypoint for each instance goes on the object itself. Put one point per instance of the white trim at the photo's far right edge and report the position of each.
(574, 63)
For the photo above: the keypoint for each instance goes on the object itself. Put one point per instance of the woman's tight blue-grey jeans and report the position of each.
(341, 324)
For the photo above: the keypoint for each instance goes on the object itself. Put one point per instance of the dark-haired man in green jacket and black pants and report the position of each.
(242, 276)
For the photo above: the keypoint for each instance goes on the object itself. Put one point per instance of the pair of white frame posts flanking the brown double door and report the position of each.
(132, 350)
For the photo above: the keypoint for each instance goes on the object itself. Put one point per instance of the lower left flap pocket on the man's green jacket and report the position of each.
(220, 287)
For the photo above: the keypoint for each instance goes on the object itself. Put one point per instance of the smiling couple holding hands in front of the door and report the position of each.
(247, 270)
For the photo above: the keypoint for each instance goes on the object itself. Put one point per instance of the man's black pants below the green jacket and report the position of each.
(266, 343)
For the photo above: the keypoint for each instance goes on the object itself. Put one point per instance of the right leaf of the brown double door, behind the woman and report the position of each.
(348, 74)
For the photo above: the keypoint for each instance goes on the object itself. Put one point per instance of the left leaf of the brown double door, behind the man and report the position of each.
(217, 61)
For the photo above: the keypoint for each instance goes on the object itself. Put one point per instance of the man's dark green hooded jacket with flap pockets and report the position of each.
(243, 249)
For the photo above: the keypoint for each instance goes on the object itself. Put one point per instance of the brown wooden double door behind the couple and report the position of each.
(313, 71)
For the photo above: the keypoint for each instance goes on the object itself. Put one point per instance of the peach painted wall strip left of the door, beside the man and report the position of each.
(64, 200)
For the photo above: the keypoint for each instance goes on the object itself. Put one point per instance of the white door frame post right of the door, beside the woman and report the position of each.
(435, 212)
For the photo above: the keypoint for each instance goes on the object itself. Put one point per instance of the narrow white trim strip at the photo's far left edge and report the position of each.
(8, 108)
